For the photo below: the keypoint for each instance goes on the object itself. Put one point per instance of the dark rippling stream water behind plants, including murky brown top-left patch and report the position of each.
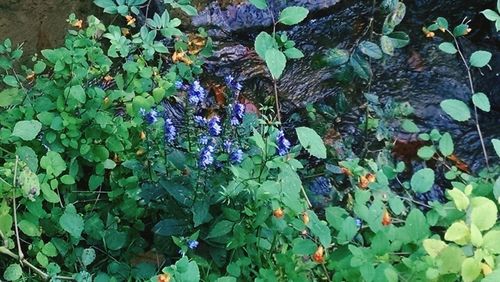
(419, 73)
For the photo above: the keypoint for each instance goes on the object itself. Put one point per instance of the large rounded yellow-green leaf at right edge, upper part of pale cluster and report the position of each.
(480, 207)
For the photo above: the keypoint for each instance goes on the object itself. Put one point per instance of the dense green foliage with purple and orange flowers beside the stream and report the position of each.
(119, 162)
